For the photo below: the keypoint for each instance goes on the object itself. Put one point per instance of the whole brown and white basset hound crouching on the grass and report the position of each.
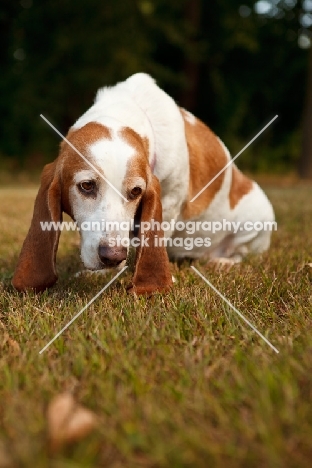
(135, 154)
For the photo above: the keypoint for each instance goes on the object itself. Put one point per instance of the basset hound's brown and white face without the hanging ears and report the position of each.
(103, 216)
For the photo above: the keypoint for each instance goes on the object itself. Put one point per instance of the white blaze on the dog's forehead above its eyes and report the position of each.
(112, 156)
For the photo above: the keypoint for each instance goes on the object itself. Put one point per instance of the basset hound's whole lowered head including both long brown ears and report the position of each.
(102, 179)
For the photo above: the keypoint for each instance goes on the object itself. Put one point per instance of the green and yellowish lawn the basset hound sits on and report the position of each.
(177, 380)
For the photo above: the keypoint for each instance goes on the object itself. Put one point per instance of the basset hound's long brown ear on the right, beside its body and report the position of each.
(152, 271)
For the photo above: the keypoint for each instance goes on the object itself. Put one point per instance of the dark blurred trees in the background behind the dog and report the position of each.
(234, 63)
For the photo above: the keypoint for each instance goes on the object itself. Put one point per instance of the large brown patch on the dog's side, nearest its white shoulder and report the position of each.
(206, 159)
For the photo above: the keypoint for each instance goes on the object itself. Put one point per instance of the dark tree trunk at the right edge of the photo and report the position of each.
(305, 162)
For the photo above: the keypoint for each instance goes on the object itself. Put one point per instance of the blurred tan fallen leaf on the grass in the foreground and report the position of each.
(68, 421)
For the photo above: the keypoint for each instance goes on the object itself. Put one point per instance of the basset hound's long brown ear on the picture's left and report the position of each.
(36, 265)
